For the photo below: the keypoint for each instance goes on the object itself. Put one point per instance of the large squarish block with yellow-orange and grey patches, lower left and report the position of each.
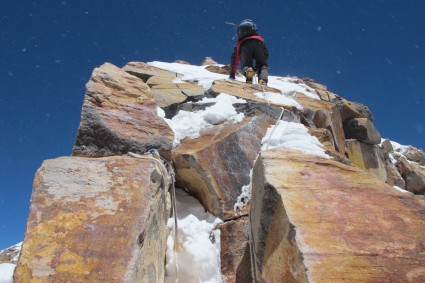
(96, 220)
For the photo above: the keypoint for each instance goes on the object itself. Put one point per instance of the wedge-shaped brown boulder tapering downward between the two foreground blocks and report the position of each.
(215, 166)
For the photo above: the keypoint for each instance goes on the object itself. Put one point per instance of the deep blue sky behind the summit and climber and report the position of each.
(368, 51)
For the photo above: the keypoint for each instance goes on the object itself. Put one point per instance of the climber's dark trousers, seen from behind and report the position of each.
(255, 50)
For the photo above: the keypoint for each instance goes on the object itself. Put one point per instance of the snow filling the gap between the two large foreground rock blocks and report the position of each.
(198, 254)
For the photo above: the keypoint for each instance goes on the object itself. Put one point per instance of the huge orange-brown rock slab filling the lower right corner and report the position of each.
(317, 220)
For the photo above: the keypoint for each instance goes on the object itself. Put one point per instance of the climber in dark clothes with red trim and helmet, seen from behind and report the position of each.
(249, 47)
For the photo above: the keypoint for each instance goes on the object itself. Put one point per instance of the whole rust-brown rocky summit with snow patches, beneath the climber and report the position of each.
(306, 188)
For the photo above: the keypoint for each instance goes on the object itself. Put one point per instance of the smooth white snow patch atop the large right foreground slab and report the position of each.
(292, 135)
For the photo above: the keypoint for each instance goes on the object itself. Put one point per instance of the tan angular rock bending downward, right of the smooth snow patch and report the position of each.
(323, 114)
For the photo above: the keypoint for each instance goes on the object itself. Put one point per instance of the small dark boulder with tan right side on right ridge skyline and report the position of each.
(362, 129)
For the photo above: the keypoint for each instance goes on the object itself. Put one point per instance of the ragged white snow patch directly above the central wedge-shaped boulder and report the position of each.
(190, 124)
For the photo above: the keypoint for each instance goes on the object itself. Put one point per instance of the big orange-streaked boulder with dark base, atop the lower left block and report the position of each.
(119, 115)
